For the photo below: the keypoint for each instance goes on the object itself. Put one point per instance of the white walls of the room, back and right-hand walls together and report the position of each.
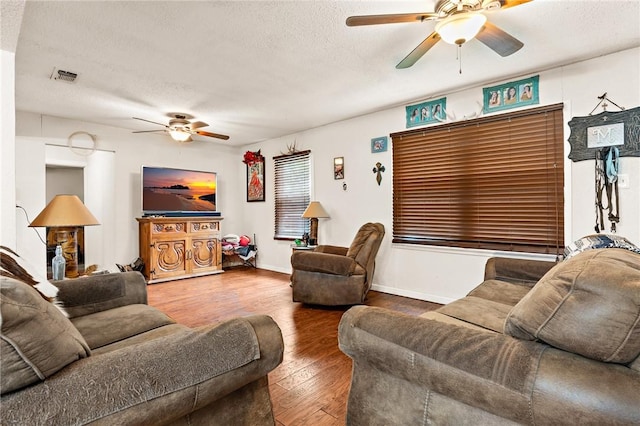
(436, 274)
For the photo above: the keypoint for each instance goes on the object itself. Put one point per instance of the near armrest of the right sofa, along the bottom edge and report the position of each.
(526, 382)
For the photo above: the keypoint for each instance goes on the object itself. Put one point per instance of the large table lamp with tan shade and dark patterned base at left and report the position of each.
(66, 213)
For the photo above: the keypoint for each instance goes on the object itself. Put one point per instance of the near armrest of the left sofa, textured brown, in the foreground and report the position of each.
(154, 382)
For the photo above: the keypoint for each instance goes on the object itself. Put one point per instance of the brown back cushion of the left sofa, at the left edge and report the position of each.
(37, 340)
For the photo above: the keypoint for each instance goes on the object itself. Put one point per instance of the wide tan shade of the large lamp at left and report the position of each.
(65, 210)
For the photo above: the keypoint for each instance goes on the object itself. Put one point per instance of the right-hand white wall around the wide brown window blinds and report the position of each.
(444, 274)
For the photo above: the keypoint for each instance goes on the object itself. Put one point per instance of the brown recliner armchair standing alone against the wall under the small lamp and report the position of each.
(332, 275)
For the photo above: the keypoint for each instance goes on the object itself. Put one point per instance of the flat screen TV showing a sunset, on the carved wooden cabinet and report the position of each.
(178, 192)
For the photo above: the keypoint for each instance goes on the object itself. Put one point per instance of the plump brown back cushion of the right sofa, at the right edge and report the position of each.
(589, 305)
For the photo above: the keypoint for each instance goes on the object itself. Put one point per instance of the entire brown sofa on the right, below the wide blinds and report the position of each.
(533, 344)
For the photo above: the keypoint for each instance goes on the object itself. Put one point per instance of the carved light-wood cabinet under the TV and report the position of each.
(179, 247)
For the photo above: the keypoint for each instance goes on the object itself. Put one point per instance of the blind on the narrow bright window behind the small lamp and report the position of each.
(292, 194)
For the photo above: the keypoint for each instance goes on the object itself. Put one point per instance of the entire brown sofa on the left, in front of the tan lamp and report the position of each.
(117, 360)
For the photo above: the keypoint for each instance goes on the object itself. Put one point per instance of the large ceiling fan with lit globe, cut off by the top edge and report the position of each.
(458, 21)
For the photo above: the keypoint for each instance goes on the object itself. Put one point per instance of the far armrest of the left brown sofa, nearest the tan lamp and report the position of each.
(95, 293)
